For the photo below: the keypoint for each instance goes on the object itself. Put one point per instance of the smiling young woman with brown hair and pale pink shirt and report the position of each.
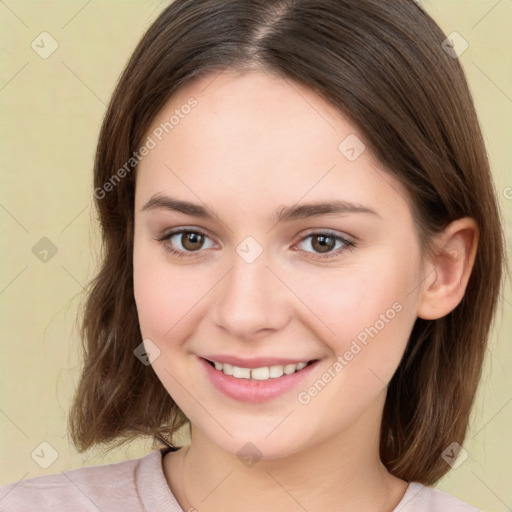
(302, 261)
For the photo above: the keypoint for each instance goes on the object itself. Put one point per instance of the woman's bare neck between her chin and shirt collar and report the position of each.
(343, 473)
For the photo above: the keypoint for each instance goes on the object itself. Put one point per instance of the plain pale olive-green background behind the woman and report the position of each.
(51, 110)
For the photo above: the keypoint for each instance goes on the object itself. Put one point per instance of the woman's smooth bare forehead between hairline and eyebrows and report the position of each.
(256, 137)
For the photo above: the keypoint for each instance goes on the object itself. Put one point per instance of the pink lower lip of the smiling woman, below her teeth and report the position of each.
(252, 390)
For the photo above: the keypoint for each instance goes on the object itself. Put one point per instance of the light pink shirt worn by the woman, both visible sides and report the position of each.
(139, 485)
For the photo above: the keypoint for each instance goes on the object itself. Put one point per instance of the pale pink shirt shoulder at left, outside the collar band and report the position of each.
(89, 488)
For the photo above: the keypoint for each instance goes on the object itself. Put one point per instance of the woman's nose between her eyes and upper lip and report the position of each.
(250, 301)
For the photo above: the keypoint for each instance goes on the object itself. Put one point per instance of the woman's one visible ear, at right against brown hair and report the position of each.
(447, 273)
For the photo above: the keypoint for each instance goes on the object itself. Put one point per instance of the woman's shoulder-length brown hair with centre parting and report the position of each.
(382, 64)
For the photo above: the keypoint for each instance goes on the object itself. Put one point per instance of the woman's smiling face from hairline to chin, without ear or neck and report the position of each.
(247, 271)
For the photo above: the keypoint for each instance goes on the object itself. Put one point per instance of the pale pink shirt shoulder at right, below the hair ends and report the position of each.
(420, 498)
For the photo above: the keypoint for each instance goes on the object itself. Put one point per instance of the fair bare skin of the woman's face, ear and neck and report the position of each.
(255, 143)
